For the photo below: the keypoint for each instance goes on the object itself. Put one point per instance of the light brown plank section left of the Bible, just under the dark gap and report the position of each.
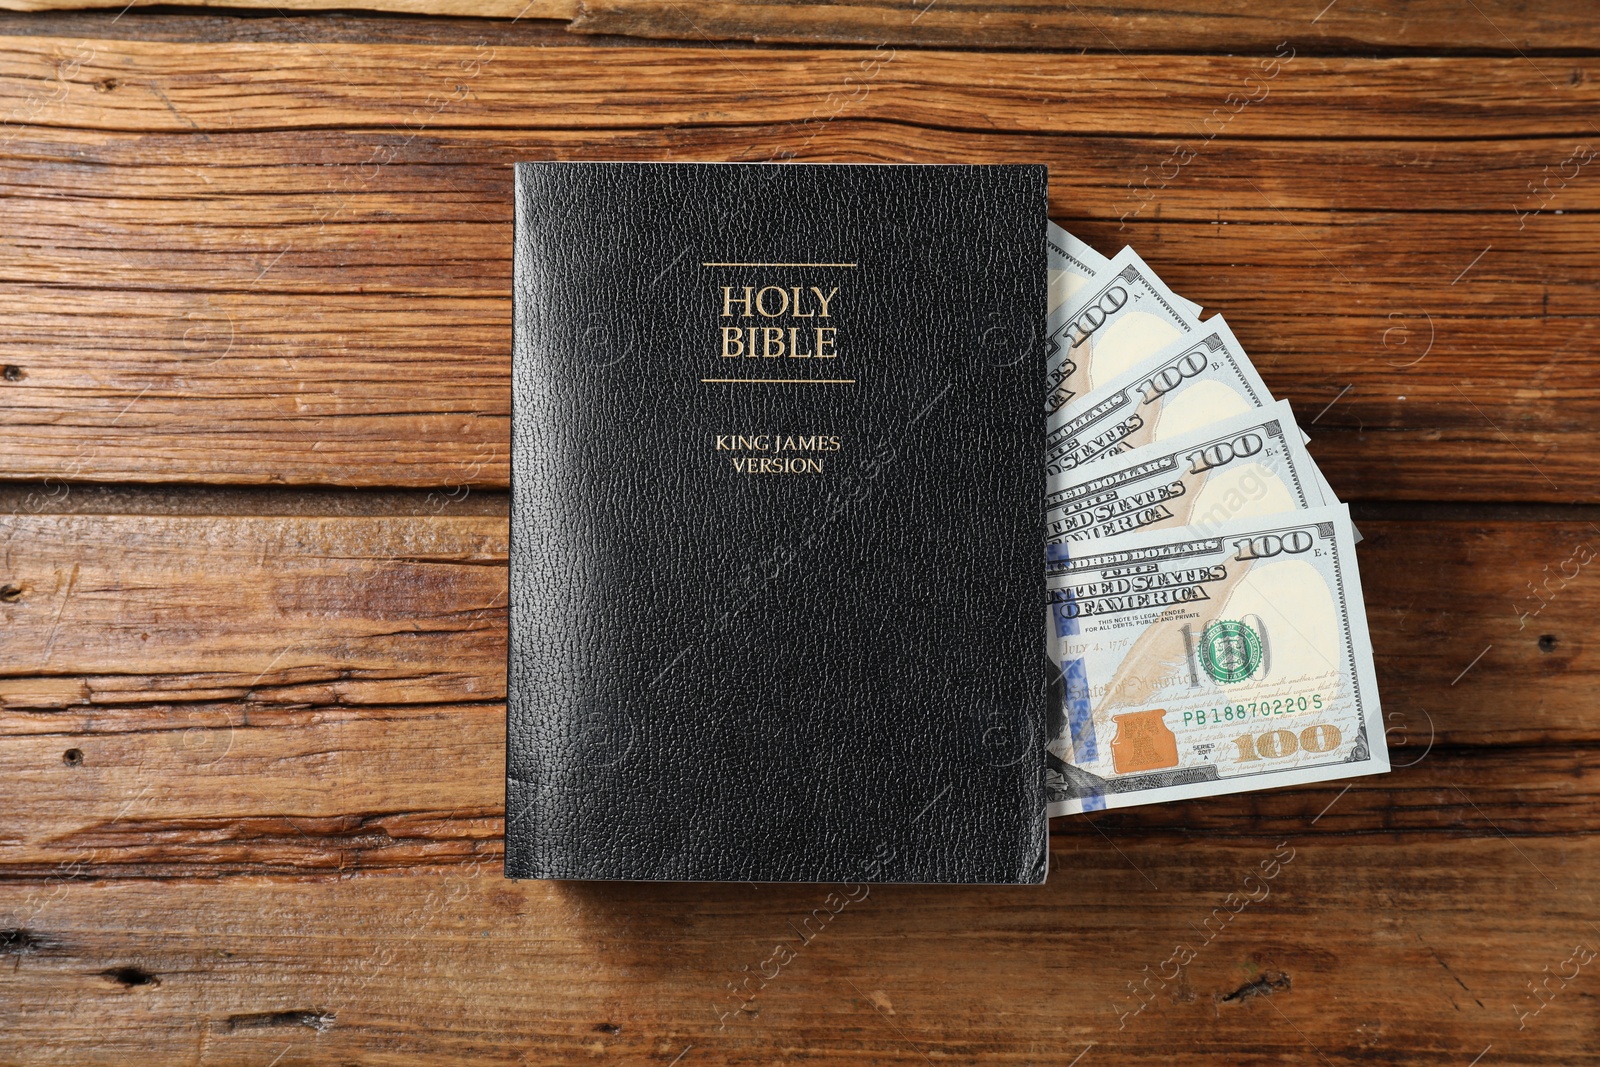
(159, 610)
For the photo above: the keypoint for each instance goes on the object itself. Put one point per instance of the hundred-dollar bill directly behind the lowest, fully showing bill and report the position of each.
(1249, 465)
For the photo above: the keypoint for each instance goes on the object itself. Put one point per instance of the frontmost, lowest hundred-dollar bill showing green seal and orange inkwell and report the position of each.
(1196, 666)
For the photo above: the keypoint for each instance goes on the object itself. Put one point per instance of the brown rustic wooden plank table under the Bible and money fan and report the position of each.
(255, 442)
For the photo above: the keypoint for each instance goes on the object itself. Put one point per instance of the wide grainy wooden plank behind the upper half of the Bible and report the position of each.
(329, 306)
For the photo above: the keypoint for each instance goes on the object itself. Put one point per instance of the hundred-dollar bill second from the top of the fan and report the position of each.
(1124, 318)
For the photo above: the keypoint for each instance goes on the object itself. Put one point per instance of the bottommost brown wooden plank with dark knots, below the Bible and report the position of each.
(1302, 949)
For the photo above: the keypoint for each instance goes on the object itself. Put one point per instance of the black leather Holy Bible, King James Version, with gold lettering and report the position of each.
(777, 548)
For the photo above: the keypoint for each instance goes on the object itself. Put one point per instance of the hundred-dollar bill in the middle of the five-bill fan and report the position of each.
(1180, 390)
